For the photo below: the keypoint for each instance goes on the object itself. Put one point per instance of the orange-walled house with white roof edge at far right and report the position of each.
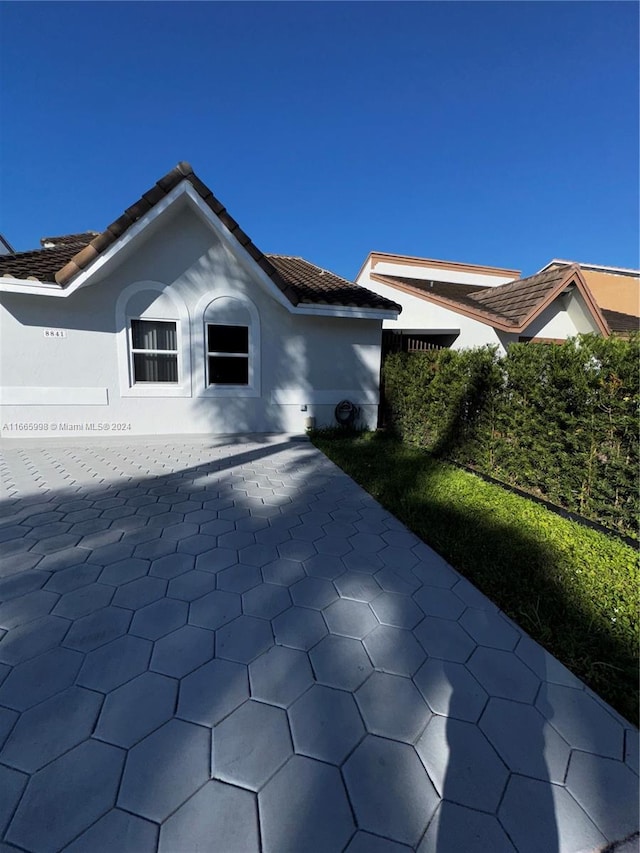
(615, 289)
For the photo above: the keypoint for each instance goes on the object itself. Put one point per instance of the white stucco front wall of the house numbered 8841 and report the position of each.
(175, 272)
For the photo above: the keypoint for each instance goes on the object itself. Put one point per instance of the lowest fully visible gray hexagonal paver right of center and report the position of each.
(404, 816)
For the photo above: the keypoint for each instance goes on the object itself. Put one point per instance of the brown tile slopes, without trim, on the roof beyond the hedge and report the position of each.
(508, 305)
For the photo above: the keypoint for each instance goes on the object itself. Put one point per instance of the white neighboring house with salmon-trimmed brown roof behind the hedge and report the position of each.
(447, 304)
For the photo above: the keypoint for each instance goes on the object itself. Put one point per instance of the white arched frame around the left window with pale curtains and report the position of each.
(175, 312)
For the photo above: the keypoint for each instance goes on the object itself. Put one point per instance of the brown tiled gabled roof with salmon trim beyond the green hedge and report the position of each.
(510, 307)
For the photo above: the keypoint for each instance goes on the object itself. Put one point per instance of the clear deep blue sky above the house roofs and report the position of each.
(491, 133)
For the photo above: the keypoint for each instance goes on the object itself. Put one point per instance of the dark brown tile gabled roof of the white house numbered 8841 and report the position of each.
(300, 281)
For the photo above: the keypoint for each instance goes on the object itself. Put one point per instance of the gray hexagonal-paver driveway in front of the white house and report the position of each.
(231, 647)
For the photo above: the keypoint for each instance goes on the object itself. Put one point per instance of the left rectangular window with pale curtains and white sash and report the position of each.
(154, 349)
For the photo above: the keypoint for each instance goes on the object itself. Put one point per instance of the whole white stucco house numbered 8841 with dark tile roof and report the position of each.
(172, 321)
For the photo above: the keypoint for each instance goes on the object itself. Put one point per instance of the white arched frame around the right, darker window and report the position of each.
(206, 311)
